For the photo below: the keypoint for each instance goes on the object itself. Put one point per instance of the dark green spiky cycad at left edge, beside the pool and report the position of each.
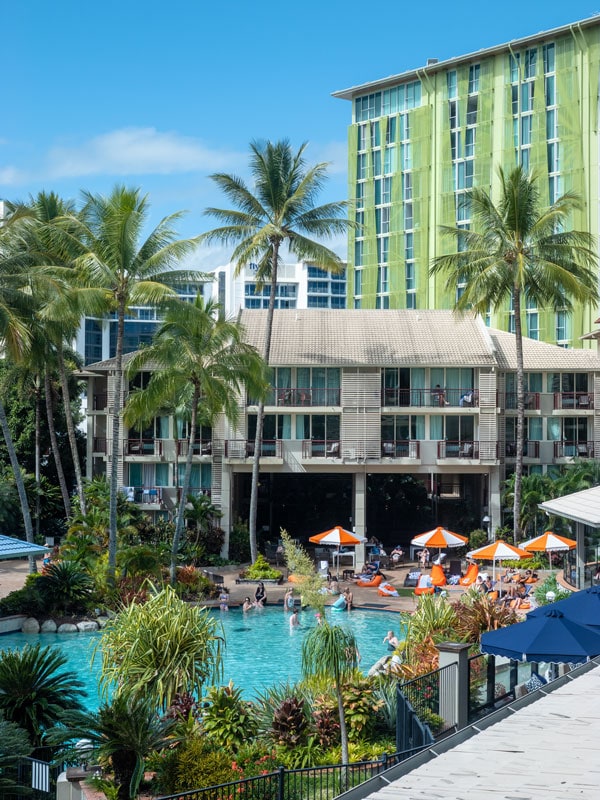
(34, 692)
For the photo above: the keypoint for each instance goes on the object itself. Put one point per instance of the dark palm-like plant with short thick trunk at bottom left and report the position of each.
(123, 732)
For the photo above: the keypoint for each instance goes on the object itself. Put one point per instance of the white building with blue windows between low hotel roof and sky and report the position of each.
(299, 285)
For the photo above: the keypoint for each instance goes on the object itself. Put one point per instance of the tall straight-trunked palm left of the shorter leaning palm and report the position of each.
(117, 271)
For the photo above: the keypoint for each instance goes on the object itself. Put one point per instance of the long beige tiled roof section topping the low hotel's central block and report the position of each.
(371, 338)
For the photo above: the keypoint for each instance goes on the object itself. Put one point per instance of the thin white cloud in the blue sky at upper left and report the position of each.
(138, 151)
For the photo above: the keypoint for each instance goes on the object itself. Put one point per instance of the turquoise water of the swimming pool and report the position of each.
(260, 650)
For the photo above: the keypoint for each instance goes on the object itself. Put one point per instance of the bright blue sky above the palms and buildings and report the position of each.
(161, 94)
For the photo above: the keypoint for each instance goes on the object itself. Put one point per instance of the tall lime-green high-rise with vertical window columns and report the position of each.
(420, 140)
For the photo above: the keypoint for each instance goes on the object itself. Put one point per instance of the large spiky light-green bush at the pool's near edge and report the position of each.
(160, 649)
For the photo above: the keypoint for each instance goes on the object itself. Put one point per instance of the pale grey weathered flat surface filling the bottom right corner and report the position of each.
(546, 751)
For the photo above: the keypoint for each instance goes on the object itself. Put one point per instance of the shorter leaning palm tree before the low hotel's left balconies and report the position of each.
(199, 363)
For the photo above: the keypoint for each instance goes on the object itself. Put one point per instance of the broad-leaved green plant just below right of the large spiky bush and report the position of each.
(227, 718)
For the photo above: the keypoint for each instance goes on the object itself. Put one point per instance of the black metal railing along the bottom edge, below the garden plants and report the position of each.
(309, 783)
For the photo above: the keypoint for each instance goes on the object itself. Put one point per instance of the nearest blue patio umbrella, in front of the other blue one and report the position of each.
(549, 636)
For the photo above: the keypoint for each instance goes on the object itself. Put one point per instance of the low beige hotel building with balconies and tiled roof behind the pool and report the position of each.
(360, 398)
